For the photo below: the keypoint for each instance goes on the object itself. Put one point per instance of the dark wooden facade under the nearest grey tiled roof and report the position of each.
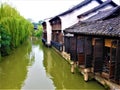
(103, 55)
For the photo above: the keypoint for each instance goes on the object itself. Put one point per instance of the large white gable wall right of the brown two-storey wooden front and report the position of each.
(71, 18)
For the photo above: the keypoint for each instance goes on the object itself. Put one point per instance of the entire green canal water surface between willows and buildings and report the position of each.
(33, 66)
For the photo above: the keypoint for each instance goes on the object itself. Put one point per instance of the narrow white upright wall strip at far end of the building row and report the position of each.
(48, 43)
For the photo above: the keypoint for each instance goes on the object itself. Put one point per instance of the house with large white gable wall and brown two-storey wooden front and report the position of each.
(67, 19)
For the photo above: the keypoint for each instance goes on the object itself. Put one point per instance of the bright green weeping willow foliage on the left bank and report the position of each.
(16, 28)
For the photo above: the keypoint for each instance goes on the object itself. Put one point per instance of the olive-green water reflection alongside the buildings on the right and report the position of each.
(59, 71)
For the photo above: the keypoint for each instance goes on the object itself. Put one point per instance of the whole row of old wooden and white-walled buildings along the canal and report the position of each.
(91, 37)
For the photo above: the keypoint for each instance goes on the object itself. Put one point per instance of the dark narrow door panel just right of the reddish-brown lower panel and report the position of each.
(88, 52)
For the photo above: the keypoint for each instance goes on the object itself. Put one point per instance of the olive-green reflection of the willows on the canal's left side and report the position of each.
(13, 68)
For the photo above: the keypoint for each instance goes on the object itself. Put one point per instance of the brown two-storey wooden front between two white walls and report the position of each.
(57, 35)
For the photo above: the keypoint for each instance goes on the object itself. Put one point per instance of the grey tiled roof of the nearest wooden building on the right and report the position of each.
(108, 27)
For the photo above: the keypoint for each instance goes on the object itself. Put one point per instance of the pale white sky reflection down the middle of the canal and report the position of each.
(36, 78)
